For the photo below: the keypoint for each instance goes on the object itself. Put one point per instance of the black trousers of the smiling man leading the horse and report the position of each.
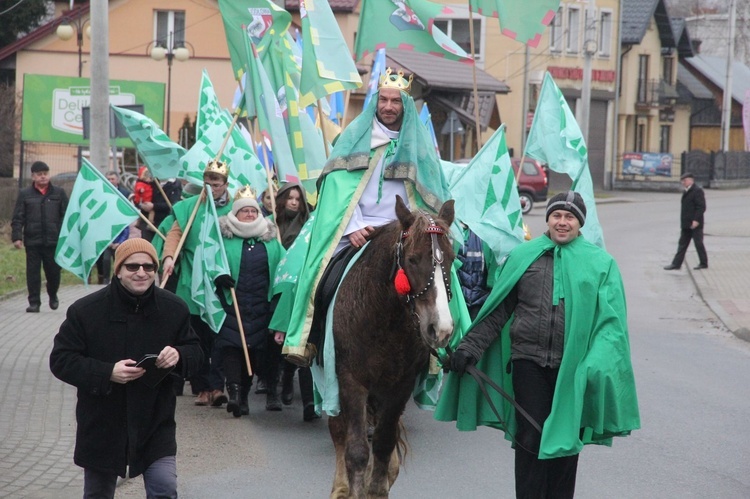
(534, 387)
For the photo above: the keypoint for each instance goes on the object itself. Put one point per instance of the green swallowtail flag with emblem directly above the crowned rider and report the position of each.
(405, 25)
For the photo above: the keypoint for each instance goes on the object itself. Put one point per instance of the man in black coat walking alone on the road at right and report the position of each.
(691, 224)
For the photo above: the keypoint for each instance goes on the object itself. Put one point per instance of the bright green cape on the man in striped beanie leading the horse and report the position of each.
(595, 397)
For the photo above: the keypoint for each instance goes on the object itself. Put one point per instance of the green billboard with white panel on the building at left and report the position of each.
(53, 106)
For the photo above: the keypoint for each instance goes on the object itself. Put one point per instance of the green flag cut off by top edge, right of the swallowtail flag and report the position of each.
(521, 20)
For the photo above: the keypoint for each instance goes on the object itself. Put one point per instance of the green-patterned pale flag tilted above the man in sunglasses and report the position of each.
(96, 215)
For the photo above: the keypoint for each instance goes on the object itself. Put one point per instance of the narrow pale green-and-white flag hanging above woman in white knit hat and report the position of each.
(270, 117)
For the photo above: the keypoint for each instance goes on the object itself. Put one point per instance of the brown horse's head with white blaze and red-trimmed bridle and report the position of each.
(426, 256)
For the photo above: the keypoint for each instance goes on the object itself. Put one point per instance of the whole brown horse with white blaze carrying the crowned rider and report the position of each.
(383, 341)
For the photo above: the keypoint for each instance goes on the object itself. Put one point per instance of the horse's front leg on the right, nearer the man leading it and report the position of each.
(386, 460)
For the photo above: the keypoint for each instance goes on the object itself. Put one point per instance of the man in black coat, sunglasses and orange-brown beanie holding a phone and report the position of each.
(124, 420)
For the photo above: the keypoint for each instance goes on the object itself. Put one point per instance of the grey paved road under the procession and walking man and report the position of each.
(277, 455)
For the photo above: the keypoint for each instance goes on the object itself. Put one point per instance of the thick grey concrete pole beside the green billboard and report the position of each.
(99, 137)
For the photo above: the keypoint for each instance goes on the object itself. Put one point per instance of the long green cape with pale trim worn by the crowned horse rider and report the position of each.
(411, 158)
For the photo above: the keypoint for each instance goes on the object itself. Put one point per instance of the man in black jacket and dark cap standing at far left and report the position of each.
(37, 219)
